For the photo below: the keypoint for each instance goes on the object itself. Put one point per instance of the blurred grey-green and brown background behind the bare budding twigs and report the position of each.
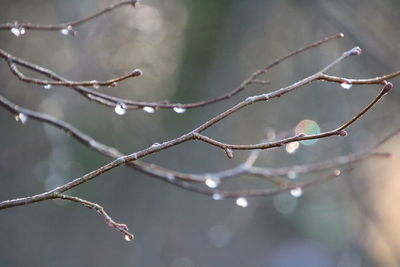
(189, 51)
